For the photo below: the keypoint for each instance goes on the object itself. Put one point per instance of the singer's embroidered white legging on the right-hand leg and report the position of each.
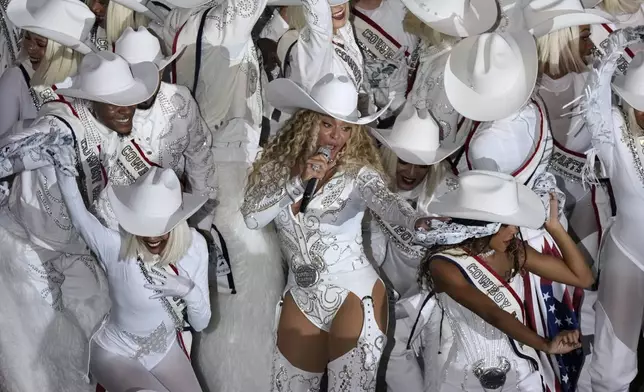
(356, 370)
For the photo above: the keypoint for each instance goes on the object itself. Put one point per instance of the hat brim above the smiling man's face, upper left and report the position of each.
(146, 77)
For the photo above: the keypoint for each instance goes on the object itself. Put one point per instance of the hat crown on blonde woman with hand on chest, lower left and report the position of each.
(156, 194)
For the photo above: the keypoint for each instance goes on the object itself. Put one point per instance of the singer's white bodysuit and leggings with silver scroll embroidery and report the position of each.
(327, 262)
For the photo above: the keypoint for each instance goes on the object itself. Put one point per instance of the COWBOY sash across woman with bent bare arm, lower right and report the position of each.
(481, 276)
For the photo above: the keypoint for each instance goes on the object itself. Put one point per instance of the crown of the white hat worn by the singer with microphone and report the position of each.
(336, 94)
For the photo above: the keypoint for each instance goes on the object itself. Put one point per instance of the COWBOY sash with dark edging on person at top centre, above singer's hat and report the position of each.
(372, 39)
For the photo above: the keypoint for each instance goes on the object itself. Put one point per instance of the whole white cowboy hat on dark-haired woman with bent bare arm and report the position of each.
(491, 197)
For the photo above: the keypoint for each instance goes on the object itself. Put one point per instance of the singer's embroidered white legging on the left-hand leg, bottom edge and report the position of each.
(288, 378)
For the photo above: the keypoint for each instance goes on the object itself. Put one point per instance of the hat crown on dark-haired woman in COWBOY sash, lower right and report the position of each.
(492, 192)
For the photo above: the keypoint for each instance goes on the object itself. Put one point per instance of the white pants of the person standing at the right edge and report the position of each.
(618, 321)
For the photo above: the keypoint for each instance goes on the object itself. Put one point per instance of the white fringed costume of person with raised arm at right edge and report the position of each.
(618, 318)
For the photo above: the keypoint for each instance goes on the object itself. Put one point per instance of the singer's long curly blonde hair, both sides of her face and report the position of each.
(297, 142)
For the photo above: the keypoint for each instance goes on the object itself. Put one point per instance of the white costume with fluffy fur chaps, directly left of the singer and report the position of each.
(229, 95)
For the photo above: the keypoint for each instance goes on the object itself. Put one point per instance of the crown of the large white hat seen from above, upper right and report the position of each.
(493, 65)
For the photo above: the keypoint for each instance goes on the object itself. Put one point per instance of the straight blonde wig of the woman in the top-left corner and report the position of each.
(58, 63)
